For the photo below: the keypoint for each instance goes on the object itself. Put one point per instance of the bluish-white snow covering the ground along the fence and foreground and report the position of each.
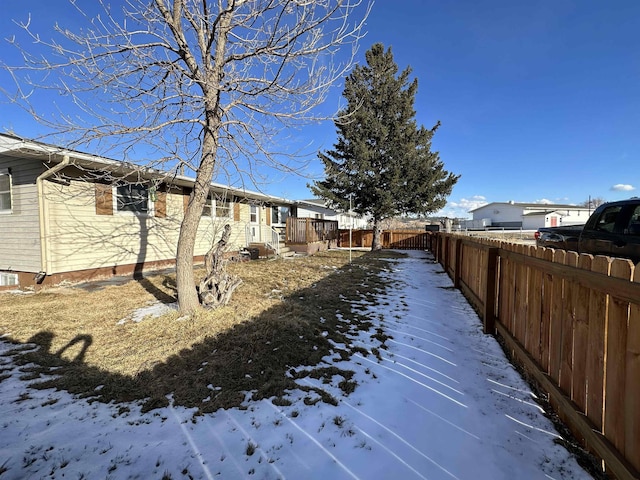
(444, 403)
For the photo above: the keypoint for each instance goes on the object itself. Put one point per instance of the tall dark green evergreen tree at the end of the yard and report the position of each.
(382, 160)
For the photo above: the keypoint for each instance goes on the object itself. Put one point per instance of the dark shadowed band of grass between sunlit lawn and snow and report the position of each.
(307, 333)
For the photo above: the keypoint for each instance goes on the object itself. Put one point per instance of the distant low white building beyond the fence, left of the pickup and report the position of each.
(527, 216)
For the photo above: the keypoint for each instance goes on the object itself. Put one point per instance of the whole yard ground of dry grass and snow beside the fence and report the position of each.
(429, 395)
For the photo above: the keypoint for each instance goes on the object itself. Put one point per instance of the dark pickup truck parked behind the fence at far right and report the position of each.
(612, 230)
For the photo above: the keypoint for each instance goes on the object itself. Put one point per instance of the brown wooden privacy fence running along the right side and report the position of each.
(573, 321)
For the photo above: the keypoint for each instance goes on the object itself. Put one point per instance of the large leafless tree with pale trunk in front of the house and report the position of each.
(203, 82)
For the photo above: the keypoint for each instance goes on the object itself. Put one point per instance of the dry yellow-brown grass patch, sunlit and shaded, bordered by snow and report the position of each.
(275, 322)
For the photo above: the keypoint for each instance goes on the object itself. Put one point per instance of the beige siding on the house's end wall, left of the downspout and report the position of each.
(20, 229)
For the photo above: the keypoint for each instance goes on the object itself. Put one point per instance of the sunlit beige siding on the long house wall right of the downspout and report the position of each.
(80, 239)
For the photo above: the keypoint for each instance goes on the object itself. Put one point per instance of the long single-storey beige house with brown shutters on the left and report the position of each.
(68, 215)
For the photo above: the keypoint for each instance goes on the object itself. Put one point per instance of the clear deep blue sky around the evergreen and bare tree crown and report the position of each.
(539, 100)
